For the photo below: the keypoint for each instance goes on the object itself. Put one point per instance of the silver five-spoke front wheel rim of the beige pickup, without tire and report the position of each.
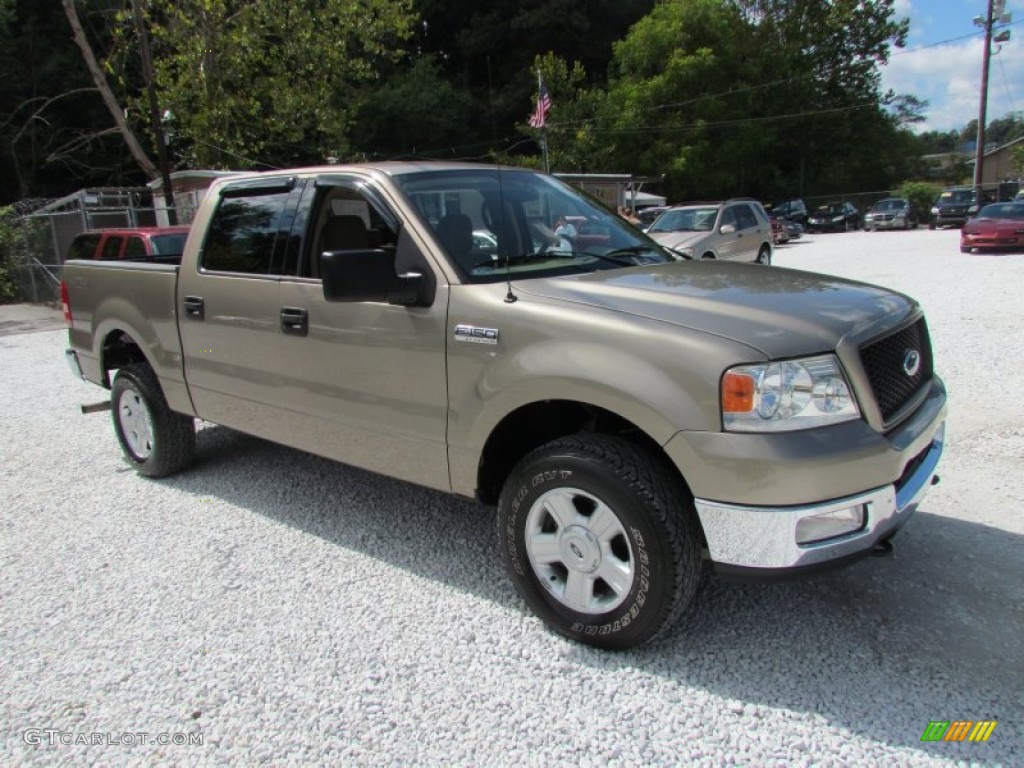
(579, 550)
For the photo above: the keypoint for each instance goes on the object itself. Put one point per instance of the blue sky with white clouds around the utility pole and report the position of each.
(943, 63)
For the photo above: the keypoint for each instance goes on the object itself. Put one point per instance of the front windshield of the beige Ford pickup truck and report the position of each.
(506, 224)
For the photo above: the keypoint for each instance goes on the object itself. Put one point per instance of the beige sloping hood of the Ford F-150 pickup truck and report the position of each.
(781, 313)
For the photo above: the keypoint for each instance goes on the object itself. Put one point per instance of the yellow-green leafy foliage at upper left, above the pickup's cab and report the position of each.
(270, 83)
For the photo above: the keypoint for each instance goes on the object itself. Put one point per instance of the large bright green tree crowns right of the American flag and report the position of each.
(761, 98)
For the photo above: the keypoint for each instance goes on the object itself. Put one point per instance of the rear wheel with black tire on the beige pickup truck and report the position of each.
(156, 441)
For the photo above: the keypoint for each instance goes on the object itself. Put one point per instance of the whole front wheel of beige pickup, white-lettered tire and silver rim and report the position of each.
(601, 540)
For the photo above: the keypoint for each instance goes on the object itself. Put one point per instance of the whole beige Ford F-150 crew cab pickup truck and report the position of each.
(636, 418)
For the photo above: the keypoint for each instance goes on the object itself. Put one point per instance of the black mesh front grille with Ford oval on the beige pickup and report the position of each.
(889, 364)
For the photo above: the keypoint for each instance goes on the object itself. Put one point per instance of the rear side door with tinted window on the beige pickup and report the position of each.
(230, 310)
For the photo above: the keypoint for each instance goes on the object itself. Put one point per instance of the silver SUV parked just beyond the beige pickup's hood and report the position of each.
(736, 230)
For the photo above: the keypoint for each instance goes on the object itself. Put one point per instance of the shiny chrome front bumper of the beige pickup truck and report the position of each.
(765, 538)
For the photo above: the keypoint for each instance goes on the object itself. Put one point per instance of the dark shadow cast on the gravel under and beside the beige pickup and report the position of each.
(934, 632)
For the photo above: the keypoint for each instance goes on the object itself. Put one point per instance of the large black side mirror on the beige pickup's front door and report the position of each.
(370, 276)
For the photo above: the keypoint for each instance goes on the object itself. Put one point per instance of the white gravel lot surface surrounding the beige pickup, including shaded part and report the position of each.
(283, 610)
